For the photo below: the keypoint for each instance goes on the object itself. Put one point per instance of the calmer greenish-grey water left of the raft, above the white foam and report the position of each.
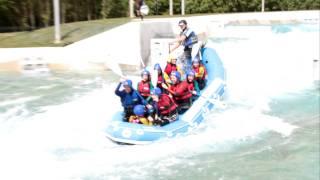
(34, 92)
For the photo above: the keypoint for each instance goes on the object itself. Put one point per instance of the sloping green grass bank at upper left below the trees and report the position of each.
(70, 32)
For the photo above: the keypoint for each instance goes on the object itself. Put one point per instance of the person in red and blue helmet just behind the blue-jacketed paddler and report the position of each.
(145, 85)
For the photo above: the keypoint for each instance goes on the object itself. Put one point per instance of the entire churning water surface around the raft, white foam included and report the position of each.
(51, 126)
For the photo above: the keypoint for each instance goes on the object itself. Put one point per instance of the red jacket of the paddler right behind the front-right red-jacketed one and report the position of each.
(181, 91)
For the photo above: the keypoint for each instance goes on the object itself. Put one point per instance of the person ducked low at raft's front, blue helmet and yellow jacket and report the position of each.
(139, 115)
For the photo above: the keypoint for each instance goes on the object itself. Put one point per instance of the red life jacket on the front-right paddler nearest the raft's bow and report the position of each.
(166, 104)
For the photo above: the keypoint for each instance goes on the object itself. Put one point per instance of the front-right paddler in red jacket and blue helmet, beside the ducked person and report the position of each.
(165, 109)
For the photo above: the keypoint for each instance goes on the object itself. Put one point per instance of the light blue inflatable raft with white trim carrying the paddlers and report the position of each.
(130, 133)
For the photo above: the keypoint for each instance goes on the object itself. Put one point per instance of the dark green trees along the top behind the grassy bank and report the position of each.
(16, 15)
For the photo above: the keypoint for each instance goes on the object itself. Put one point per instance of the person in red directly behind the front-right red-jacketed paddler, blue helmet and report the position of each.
(180, 92)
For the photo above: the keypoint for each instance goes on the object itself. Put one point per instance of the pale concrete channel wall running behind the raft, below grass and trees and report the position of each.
(129, 44)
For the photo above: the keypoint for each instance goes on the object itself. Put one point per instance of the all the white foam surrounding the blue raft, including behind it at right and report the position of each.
(67, 141)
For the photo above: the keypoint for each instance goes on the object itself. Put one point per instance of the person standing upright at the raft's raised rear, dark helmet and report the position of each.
(187, 38)
